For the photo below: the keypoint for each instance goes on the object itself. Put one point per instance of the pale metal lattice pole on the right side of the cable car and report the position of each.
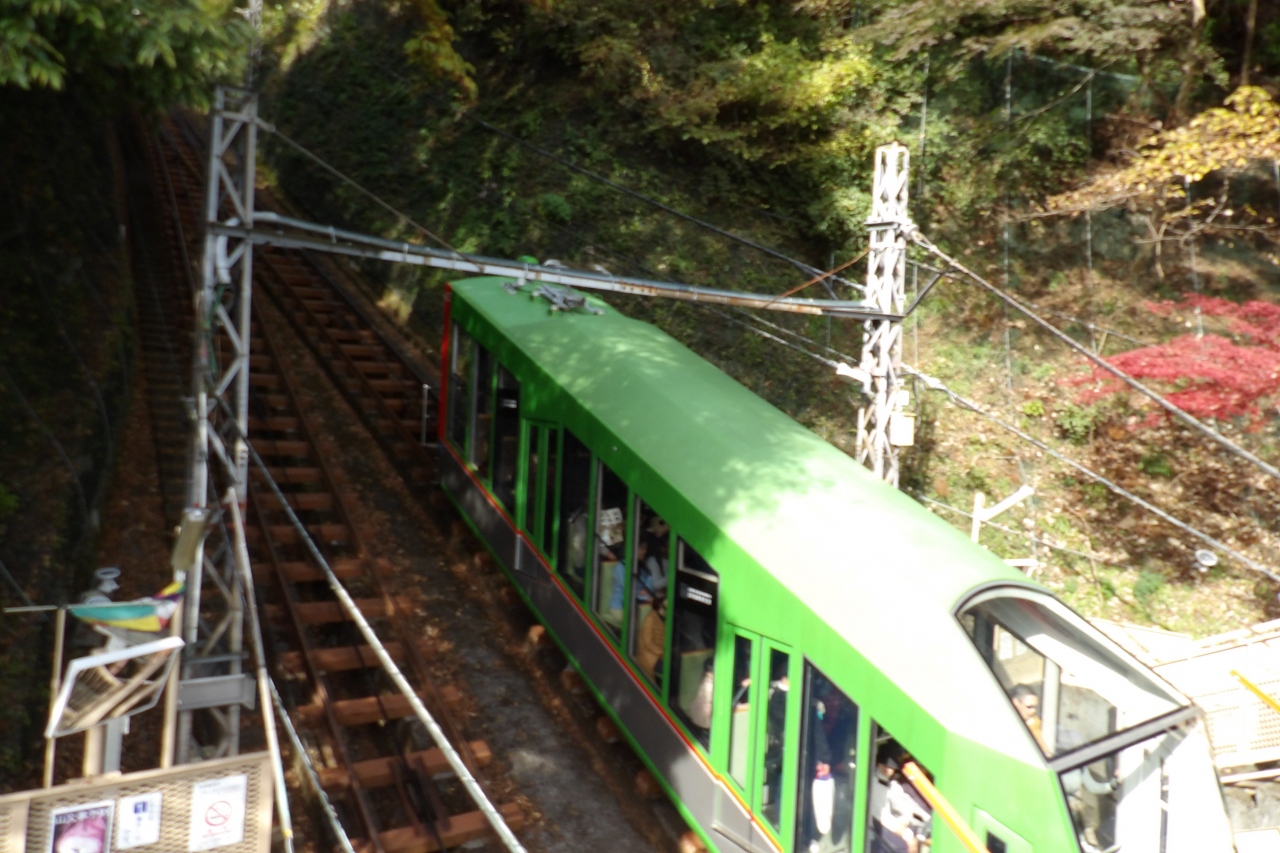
(884, 426)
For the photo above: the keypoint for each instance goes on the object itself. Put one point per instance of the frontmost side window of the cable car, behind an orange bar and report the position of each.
(899, 818)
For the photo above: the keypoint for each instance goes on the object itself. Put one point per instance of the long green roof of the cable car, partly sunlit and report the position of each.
(865, 558)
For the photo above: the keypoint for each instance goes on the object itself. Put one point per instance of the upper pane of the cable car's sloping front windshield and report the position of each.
(1068, 683)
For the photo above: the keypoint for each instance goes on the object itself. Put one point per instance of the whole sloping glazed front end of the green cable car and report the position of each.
(1132, 758)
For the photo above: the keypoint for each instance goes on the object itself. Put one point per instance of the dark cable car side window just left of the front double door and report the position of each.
(693, 659)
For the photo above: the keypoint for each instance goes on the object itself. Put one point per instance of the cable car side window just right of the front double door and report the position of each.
(829, 743)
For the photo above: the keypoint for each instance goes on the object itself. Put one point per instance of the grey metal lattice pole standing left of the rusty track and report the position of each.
(213, 679)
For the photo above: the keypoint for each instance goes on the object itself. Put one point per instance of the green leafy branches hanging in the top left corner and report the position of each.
(156, 53)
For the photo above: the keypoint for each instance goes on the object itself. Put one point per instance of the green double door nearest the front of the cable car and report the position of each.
(761, 745)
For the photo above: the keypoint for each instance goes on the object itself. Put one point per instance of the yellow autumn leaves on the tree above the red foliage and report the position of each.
(1213, 149)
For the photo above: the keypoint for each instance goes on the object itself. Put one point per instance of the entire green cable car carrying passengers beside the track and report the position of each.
(804, 658)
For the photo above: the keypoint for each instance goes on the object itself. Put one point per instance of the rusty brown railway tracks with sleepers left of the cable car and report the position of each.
(392, 788)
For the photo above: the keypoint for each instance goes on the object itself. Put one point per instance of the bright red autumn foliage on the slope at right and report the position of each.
(1212, 376)
